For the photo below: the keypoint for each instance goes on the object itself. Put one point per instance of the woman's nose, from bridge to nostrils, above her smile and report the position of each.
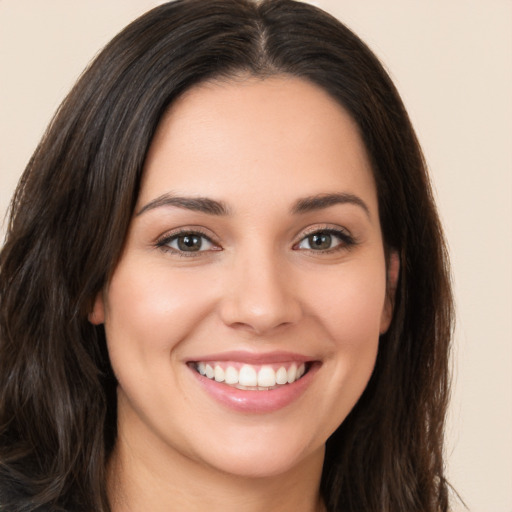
(260, 295)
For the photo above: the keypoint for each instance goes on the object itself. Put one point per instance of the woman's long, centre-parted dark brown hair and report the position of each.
(70, 215)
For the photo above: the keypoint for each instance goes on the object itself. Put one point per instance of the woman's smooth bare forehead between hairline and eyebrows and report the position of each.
(280, 136)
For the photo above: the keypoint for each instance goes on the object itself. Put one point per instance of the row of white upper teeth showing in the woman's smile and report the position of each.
(250, 376)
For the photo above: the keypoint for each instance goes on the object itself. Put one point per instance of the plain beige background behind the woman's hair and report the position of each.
(452, 62)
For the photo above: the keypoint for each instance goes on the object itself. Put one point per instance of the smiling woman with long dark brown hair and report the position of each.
(224, 282)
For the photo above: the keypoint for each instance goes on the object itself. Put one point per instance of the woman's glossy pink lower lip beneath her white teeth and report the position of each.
(250, 401)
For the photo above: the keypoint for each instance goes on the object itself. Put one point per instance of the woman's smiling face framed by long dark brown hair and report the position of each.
(254, 255)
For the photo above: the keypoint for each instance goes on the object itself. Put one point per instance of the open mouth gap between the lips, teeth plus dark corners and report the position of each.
(252, 377)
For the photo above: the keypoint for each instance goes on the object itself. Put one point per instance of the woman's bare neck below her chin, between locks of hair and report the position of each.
(141, 480)
